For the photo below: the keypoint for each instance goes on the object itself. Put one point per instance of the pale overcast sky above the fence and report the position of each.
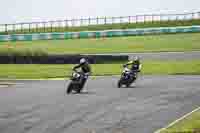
(12, 11)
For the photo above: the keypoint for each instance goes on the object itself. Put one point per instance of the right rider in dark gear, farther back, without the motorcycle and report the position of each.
(135, 64)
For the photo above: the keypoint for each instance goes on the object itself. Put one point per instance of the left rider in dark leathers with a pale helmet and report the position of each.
(85, 70)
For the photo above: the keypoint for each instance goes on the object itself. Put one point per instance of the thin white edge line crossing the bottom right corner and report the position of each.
(171, 124)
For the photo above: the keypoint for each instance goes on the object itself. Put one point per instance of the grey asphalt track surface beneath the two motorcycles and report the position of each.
(43, 107)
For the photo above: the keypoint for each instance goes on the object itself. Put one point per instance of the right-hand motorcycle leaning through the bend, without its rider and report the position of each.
(127, 77)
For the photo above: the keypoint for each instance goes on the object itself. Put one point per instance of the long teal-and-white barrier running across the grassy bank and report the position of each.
(98, 34)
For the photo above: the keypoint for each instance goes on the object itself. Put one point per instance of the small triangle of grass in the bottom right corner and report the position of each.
(190, 124)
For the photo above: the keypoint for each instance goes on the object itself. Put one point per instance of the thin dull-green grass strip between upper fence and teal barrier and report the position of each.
(109, 26)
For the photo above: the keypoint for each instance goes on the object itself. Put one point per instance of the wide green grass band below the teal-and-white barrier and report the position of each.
(151, 43)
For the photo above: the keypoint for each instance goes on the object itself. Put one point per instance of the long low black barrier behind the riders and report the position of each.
(62, 59)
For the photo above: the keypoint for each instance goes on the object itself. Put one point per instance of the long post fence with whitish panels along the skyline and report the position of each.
(62, 25)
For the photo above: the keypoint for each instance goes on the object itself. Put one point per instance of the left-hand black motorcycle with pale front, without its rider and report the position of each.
(77, 82)
